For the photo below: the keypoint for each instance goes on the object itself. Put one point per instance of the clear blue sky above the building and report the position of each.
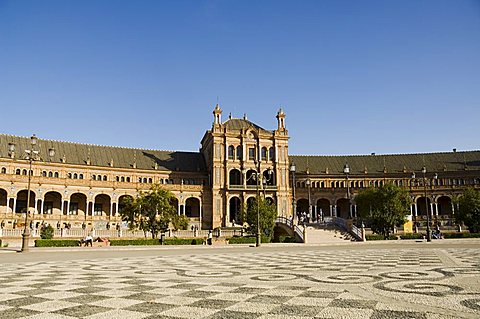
(353, 77)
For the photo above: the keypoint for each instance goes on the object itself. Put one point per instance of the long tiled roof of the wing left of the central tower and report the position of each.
(76, 153)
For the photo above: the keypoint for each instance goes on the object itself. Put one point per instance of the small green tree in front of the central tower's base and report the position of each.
(267, 212)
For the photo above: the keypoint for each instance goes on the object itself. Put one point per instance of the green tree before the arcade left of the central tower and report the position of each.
(150, 211)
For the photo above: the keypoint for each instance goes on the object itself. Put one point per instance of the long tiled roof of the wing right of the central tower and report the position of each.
(394, 163)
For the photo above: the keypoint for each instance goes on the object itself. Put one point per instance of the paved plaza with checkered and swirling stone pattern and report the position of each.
(358, 280)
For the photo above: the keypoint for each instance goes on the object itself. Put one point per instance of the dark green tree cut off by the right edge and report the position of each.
(469, 210)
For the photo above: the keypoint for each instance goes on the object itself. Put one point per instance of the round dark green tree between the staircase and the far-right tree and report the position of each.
(385, 207)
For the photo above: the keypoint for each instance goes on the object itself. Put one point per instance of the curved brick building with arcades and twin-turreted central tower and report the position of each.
(82, 186)
